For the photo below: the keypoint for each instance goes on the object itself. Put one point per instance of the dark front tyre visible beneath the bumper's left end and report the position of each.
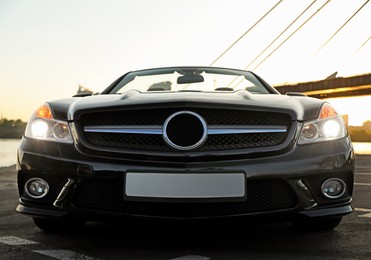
(57, 225)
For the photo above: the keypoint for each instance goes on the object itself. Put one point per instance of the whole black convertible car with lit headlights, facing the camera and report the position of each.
(186, 143)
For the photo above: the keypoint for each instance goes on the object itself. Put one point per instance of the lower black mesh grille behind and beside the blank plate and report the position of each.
(108, 195)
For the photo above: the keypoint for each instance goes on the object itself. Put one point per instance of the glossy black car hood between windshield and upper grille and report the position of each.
(298, 107)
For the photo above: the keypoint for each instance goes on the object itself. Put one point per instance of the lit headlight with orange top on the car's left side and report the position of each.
(43, 126)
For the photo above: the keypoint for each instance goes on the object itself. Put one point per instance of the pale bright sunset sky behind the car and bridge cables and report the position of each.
(48, 47)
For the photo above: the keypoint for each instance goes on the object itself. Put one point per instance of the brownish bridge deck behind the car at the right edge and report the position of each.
(331, 87)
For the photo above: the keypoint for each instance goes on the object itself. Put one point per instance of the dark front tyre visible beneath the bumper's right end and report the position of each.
(317, 223)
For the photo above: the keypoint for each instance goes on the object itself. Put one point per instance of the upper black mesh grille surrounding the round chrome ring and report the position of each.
(156, 117)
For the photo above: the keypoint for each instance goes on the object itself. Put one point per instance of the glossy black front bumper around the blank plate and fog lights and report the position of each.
(88, 187)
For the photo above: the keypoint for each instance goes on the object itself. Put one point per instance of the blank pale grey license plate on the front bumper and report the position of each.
(185, 186)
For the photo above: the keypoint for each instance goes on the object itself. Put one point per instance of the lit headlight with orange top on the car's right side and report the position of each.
(328, 126)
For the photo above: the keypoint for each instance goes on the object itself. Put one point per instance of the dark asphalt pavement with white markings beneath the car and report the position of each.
(20, 239)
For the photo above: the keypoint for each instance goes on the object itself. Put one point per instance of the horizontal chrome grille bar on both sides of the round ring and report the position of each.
(212, 130)
